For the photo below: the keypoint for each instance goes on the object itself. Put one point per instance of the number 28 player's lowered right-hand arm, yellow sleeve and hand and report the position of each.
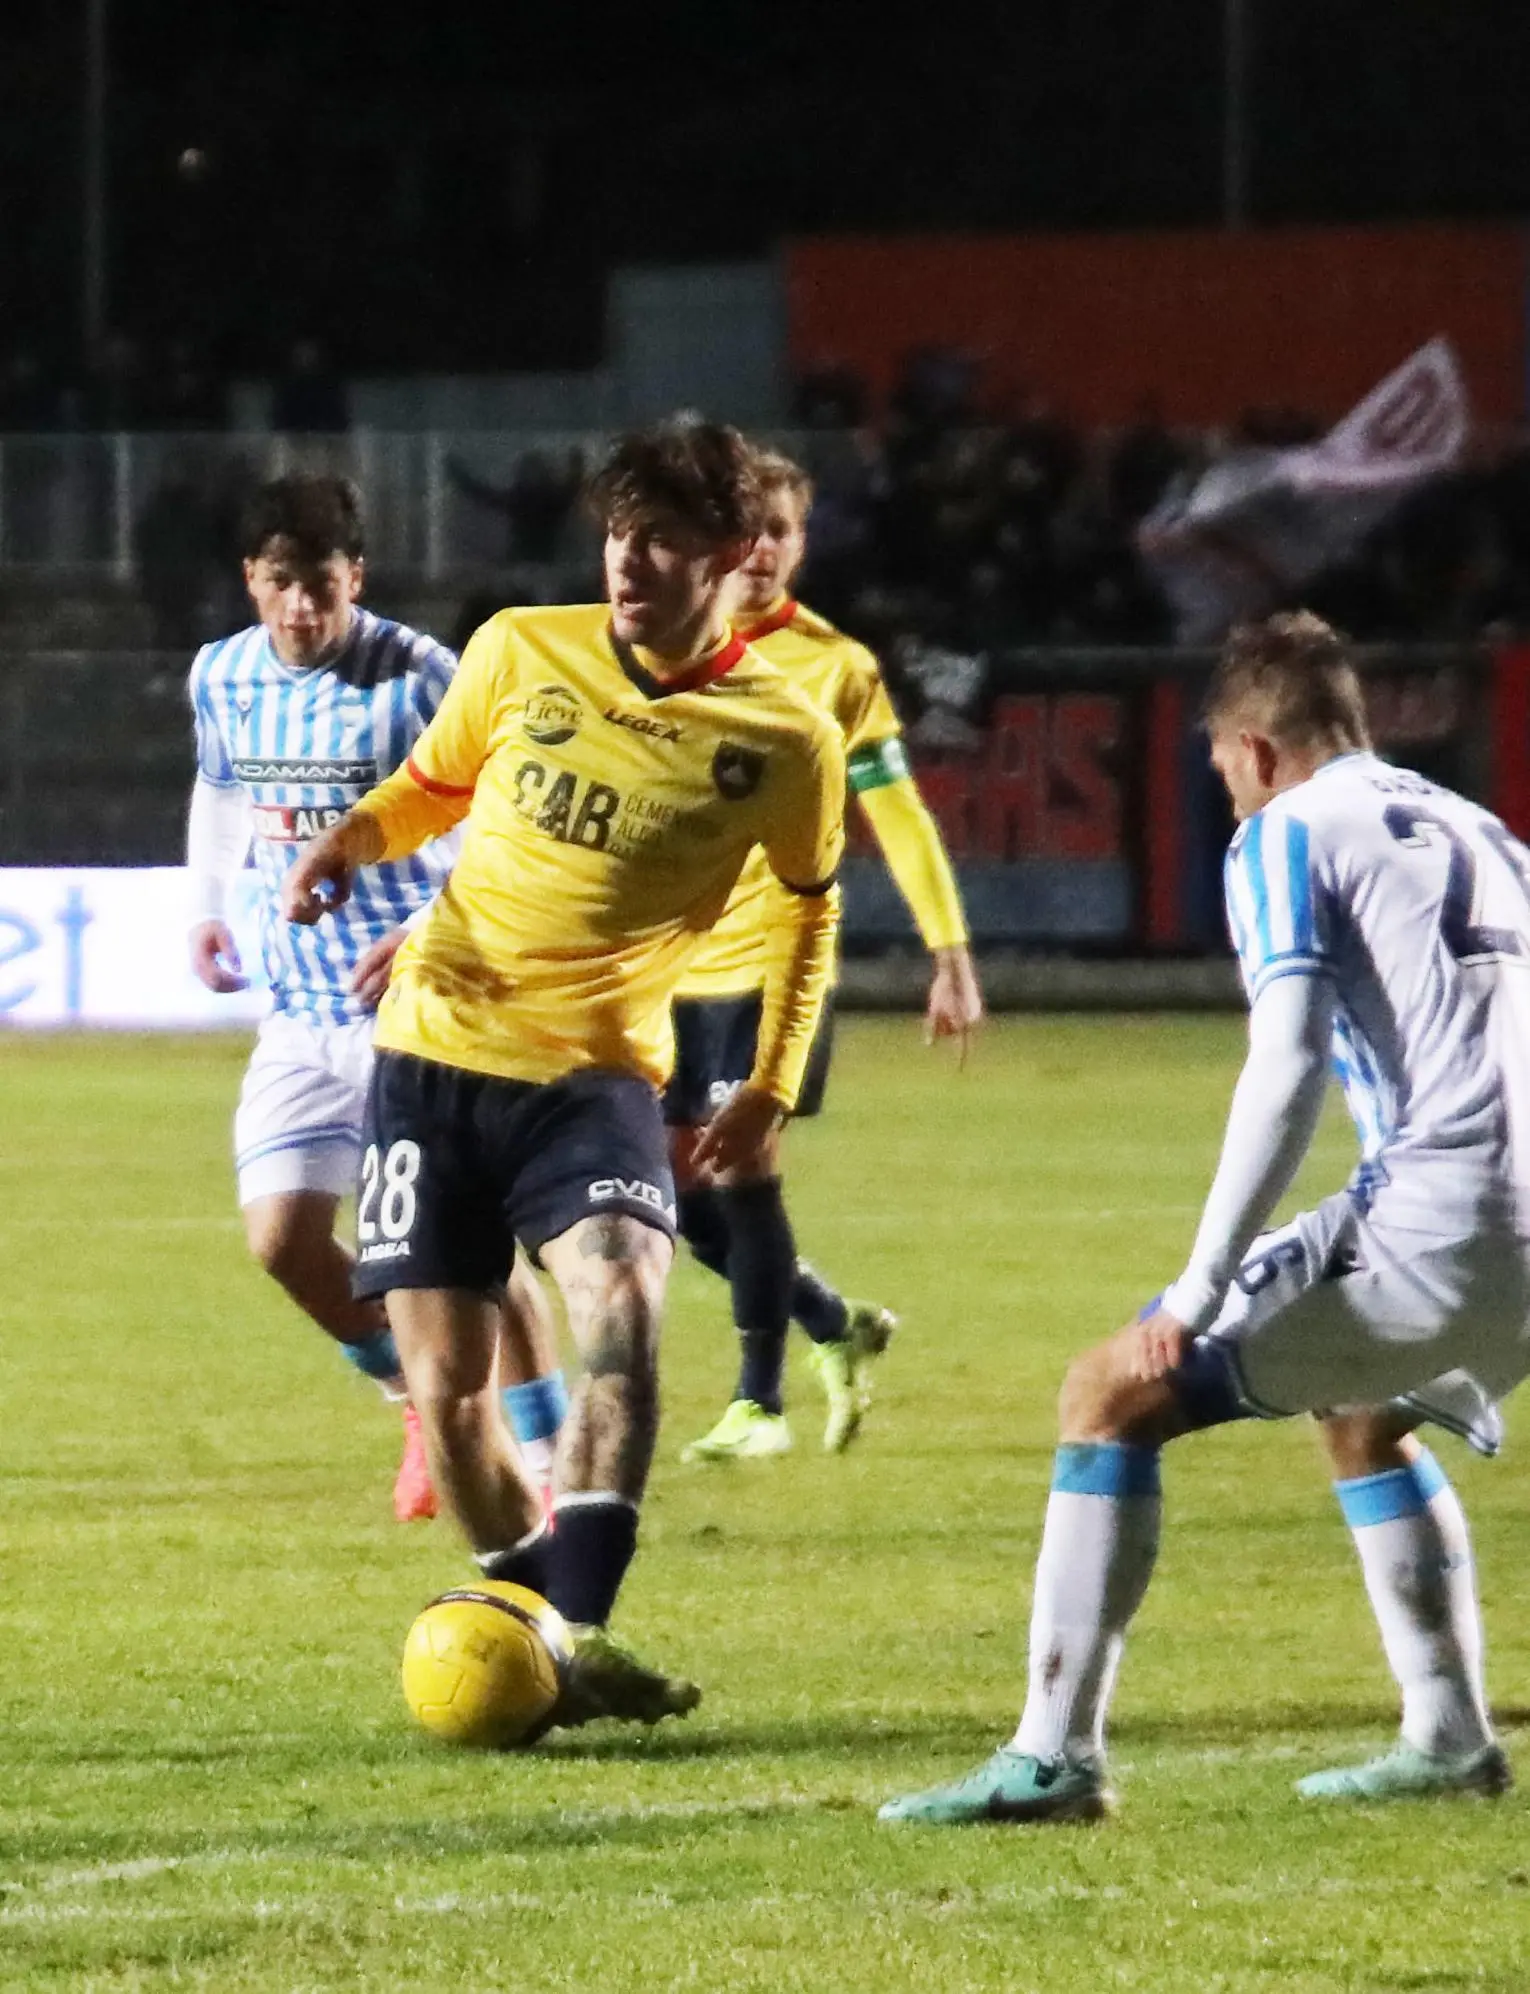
(805, 844)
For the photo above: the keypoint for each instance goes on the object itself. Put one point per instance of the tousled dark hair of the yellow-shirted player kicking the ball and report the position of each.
(701, 474)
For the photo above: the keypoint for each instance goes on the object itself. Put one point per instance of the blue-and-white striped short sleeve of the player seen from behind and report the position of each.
(1278, 904)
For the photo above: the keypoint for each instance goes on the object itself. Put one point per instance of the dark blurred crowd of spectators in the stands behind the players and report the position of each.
(939, 519)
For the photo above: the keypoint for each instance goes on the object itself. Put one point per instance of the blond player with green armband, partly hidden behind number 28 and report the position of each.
(737, 1225)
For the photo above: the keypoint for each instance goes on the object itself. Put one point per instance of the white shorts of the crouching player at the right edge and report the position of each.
(1341, 1311)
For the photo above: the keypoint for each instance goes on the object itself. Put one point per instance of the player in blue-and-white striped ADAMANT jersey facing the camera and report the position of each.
(296, 719)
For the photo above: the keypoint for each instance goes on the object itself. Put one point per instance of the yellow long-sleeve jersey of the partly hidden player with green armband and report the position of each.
(845, 681)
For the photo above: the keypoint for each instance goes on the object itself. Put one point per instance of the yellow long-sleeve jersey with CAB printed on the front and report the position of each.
(607, 819)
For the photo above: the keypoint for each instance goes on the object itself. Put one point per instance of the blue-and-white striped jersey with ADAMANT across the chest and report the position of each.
(306, 745)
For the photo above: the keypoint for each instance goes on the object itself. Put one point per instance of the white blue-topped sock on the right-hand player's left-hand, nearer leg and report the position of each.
(1098, 1552)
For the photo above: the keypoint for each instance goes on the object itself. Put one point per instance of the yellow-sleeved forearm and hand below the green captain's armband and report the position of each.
(919, 862)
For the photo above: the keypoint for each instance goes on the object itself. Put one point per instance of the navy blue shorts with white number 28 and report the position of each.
(458, 1167)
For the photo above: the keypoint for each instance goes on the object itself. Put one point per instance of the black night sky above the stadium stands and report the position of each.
(450, 186)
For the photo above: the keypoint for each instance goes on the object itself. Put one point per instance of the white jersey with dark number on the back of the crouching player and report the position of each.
(1417, 906)
